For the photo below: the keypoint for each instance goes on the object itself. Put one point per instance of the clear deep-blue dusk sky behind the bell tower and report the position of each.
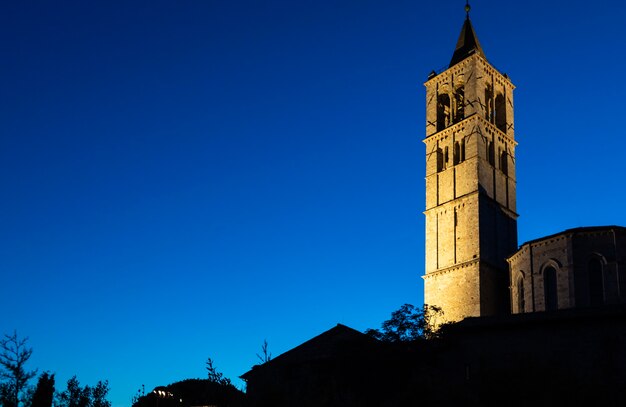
(185, 179)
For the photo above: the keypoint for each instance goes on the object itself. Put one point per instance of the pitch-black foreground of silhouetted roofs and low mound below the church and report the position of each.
(571, 357)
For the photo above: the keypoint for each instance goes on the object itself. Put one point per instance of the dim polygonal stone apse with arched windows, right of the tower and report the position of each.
(577, 268)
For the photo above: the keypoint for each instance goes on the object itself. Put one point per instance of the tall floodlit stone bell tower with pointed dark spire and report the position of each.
(471, 219)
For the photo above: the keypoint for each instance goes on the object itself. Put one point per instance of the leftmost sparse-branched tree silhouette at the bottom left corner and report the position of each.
(13, 357)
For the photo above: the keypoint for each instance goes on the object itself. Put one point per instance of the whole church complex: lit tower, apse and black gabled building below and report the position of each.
(539, 324)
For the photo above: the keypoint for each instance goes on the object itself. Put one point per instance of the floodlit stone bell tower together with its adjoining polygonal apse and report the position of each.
(473, 265)
